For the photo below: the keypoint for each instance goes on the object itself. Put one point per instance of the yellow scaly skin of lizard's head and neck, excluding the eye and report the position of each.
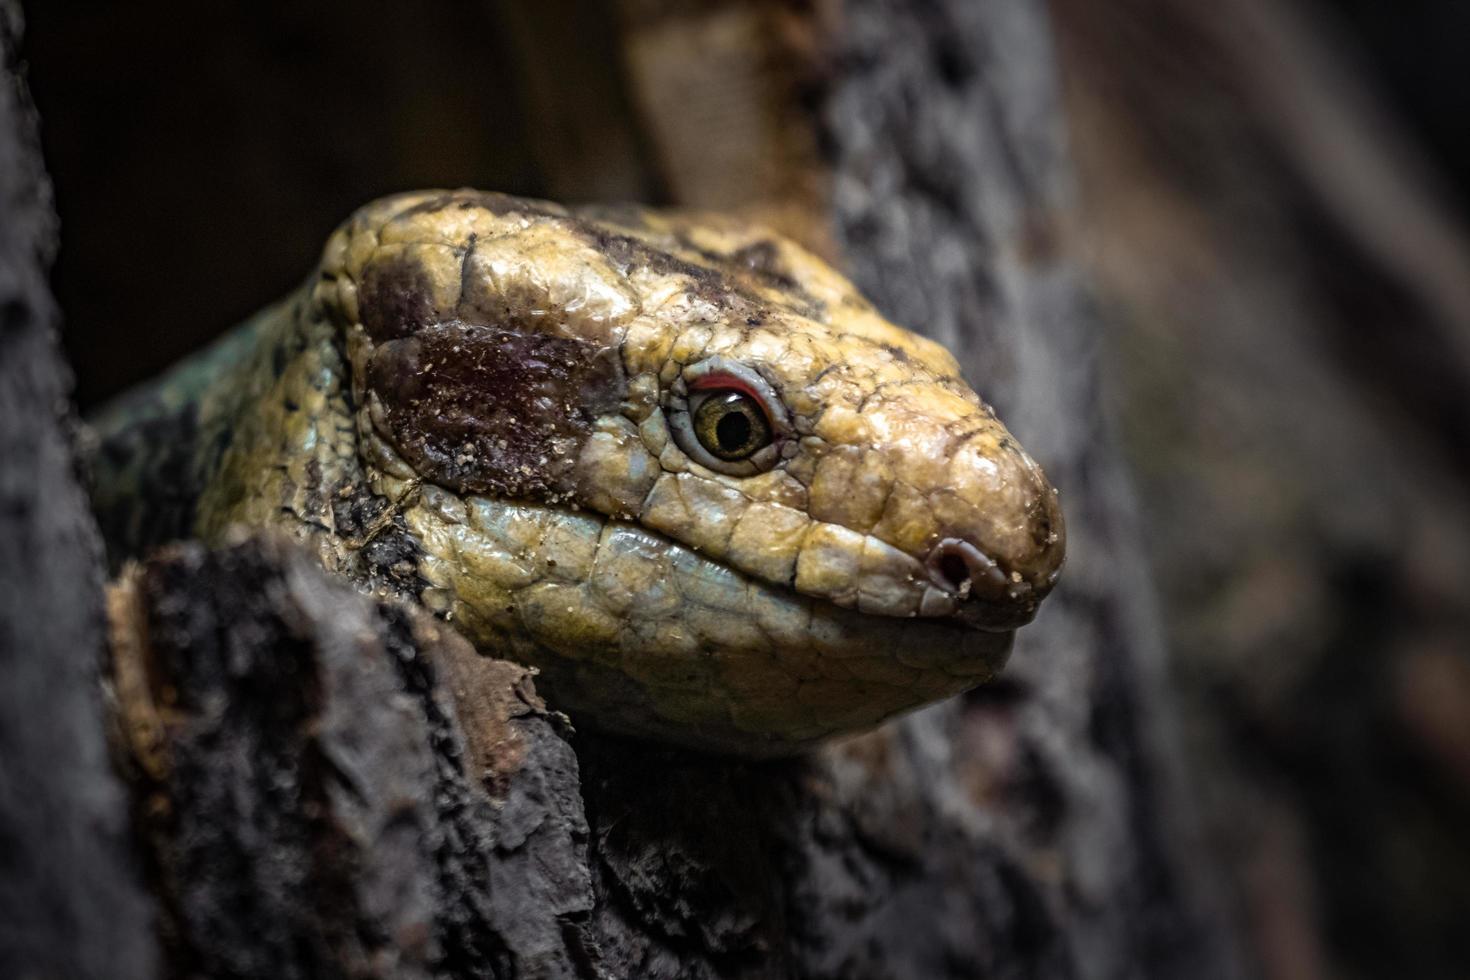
(476, 400)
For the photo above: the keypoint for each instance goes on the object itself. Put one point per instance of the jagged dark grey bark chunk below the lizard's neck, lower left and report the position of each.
(314, 800)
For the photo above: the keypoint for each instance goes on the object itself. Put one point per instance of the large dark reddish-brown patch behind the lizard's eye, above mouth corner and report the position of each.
(492, 411)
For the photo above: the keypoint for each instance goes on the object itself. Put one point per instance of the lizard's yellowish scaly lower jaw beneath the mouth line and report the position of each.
(649, 638)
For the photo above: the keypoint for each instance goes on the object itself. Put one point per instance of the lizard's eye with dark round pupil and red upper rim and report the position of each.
(727, 418)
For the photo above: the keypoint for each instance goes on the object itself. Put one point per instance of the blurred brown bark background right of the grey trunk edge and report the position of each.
(1291, 299)
